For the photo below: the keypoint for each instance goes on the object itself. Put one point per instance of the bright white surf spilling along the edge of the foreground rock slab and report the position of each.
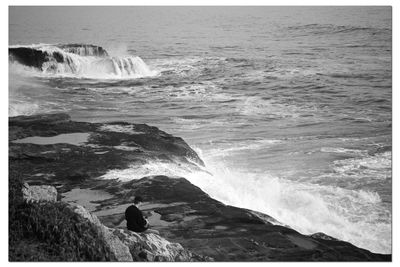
(356, 216)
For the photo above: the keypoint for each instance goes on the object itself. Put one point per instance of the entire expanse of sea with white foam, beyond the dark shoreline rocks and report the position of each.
(290, 108)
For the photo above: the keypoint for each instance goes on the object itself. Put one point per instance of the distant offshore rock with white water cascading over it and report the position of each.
(78, 60)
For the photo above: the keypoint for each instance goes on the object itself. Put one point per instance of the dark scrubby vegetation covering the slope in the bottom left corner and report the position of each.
(50, 231)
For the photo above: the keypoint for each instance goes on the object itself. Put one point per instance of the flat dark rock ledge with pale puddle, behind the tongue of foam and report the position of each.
(52, 149)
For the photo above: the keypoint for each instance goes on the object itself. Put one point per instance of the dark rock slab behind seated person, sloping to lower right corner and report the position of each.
(225, 233)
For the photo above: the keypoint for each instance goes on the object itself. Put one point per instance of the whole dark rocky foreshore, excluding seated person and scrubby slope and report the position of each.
(71, 157)
